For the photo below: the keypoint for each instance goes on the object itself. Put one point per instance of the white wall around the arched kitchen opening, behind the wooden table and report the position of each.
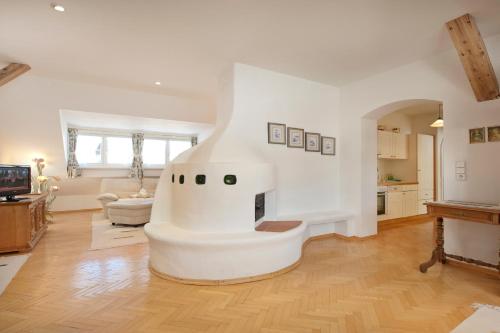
(439, 78)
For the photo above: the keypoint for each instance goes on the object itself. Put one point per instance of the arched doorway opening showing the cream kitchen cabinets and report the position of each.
(401, 162)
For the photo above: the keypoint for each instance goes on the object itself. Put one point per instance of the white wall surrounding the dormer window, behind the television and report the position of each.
(31, 125)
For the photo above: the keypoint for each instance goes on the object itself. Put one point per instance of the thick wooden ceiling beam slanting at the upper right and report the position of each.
(472, 52)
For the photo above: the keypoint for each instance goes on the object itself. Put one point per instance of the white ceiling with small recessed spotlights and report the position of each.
(185, 43)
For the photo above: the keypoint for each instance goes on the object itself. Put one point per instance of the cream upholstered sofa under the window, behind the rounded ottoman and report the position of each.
(113, 189)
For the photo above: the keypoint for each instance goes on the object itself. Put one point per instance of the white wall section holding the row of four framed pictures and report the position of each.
(306, 181)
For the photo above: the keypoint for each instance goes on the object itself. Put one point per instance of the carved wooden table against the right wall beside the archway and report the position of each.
(471, 212)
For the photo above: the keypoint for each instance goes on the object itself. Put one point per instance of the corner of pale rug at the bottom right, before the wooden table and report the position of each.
(486, 319)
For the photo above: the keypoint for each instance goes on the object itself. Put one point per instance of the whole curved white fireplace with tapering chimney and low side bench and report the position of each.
(202, 227)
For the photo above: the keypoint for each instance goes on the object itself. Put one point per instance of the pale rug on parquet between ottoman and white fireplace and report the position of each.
(105, 235)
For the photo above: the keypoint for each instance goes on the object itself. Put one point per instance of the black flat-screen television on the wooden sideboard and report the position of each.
(14, 180)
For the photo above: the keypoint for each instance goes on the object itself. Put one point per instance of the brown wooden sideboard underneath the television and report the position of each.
(22, 223)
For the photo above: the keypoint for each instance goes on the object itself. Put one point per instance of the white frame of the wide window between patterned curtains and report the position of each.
(126, 134)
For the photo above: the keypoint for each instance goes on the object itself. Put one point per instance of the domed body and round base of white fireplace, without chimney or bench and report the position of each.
(202, 227)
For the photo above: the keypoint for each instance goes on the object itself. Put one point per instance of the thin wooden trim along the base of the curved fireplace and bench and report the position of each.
(204, 282)
